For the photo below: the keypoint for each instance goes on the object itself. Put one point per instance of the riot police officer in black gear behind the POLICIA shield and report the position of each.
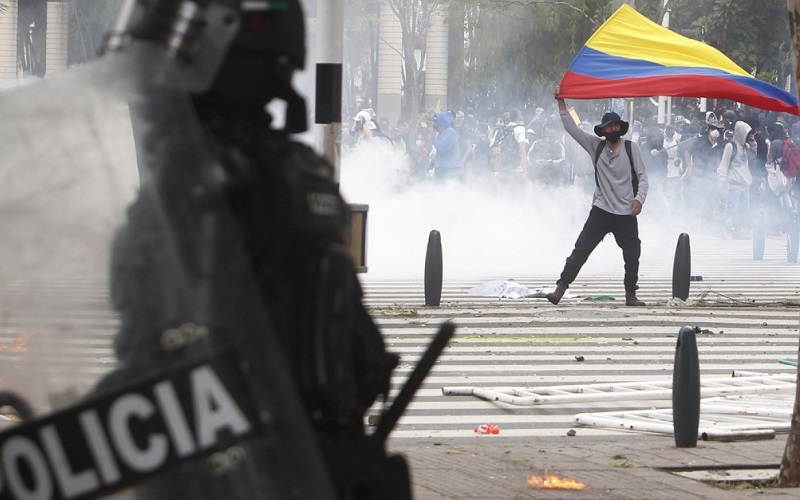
(260, 209)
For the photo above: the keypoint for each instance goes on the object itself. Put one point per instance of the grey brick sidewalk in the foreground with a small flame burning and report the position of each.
(630, 466)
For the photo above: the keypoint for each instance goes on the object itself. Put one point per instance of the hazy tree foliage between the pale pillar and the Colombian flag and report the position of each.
(516, 51)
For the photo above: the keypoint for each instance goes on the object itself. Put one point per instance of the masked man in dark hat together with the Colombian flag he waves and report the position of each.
(629, 55)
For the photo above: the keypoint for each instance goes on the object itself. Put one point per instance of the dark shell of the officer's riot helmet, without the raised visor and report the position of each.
(266, 50)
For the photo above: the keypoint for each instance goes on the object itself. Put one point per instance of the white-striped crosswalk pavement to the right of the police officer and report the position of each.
(746, 310)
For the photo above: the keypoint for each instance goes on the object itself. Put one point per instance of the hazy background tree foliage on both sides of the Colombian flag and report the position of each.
(516, 51)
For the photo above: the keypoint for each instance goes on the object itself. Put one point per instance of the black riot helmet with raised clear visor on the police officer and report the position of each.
(233, 55)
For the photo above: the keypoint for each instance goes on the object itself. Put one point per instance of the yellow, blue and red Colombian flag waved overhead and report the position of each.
(631, 56)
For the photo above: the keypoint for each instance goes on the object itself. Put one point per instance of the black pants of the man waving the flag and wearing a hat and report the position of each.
(625, 229)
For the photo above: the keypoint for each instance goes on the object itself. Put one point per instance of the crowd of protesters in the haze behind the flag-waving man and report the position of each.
(717, 168)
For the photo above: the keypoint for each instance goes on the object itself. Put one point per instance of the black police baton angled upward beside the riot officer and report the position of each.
(390, 417)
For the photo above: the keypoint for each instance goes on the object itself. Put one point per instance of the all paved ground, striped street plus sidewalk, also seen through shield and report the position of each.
(747, 312)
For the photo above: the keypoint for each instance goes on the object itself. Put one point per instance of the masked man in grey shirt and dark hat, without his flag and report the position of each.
(621, 188)
